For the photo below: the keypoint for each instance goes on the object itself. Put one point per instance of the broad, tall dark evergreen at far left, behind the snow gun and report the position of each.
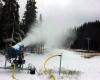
(10, 19)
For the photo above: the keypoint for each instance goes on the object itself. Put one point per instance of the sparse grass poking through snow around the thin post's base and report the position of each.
(66, 73)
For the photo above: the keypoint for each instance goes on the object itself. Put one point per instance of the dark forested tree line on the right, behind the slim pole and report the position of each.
(87, 36)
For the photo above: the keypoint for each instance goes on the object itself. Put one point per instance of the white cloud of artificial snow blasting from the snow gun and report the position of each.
(52, 34)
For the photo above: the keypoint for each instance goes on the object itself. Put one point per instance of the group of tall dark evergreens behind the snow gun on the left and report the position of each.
(12, 30)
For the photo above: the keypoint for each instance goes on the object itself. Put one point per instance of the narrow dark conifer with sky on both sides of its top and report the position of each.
(29, 17)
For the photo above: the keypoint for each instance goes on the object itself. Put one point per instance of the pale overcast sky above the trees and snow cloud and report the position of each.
(68, 12)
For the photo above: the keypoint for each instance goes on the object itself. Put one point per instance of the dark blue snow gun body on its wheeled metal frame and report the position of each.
(16, 58)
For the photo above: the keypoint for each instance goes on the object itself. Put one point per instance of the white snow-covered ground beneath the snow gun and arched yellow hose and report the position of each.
(89, 68)
